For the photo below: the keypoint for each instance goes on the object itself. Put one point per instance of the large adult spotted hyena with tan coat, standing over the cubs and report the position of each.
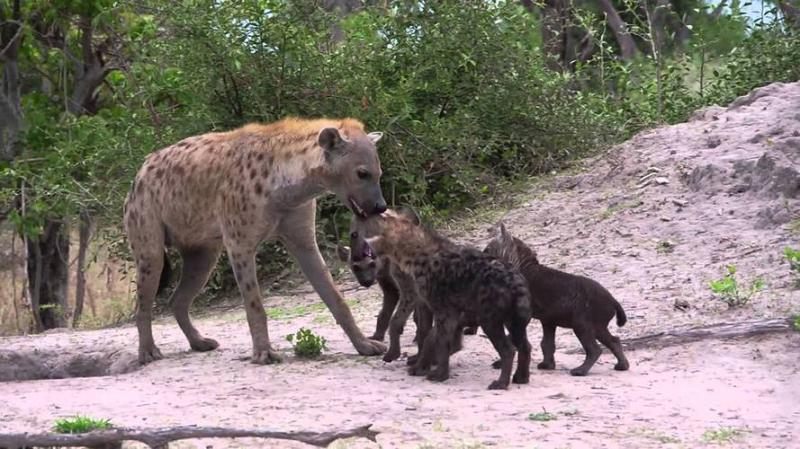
(234, 190)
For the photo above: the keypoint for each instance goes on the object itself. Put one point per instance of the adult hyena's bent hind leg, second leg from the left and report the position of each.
(198, 263)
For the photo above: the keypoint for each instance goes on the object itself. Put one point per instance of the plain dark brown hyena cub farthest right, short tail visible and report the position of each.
(563, 300)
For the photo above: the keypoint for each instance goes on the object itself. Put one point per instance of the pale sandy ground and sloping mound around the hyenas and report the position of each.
(729, 194)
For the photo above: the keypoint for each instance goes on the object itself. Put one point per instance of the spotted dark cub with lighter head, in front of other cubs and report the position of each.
(458, 284)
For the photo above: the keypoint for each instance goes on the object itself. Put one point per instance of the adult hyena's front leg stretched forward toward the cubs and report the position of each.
(297, 233)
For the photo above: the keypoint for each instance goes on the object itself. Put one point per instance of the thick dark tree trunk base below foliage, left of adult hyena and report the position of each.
(48, 274)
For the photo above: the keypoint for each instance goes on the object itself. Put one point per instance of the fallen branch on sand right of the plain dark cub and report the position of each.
(712, 331)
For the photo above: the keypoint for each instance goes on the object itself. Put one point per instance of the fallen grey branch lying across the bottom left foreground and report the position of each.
(160, 438)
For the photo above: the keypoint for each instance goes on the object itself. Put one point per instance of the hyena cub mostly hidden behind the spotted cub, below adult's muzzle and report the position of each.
(400, 297)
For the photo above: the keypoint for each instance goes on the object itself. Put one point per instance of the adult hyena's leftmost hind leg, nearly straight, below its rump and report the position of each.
(146, 237)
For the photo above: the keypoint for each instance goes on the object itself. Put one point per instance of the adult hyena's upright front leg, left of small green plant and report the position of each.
(244, 268)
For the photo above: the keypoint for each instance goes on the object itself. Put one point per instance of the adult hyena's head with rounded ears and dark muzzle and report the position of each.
(353, 169)
